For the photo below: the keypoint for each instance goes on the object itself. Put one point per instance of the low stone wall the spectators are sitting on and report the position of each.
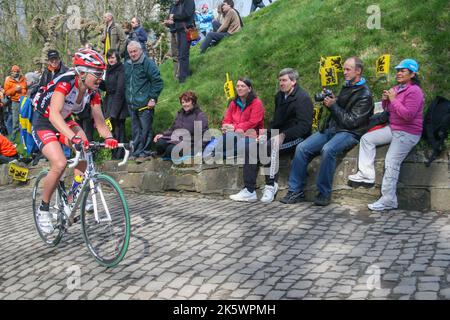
(419, 187)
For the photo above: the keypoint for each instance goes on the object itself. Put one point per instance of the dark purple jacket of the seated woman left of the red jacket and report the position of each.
(185, 120)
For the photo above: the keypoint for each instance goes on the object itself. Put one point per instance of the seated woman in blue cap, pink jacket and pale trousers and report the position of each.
(404, 103)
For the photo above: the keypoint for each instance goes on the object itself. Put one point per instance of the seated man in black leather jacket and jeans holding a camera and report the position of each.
(348, 121)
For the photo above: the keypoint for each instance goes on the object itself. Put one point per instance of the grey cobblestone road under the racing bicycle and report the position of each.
(191, 248)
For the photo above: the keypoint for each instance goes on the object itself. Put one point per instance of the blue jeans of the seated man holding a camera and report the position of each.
(328, 145)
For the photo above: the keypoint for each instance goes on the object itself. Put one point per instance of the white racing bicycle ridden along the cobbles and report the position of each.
(103, 210)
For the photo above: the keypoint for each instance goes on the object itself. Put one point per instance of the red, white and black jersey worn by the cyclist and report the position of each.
(67, 84)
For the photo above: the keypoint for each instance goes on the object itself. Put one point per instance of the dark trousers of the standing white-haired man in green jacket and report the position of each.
(142, 133)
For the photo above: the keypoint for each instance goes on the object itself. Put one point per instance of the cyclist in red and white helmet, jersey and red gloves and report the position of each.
(69, 93)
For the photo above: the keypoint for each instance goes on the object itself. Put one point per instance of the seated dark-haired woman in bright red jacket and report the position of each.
(243, 120)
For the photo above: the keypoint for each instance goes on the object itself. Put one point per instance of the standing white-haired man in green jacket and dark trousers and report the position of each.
(143, 84)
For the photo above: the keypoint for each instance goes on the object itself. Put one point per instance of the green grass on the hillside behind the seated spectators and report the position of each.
(295, 33)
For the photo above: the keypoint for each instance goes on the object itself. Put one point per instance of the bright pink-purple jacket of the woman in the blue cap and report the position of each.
(406, 111)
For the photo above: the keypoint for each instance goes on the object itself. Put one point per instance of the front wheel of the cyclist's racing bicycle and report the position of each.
(105, 220)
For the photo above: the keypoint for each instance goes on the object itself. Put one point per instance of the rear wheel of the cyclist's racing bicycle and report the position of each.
(54, 237)
